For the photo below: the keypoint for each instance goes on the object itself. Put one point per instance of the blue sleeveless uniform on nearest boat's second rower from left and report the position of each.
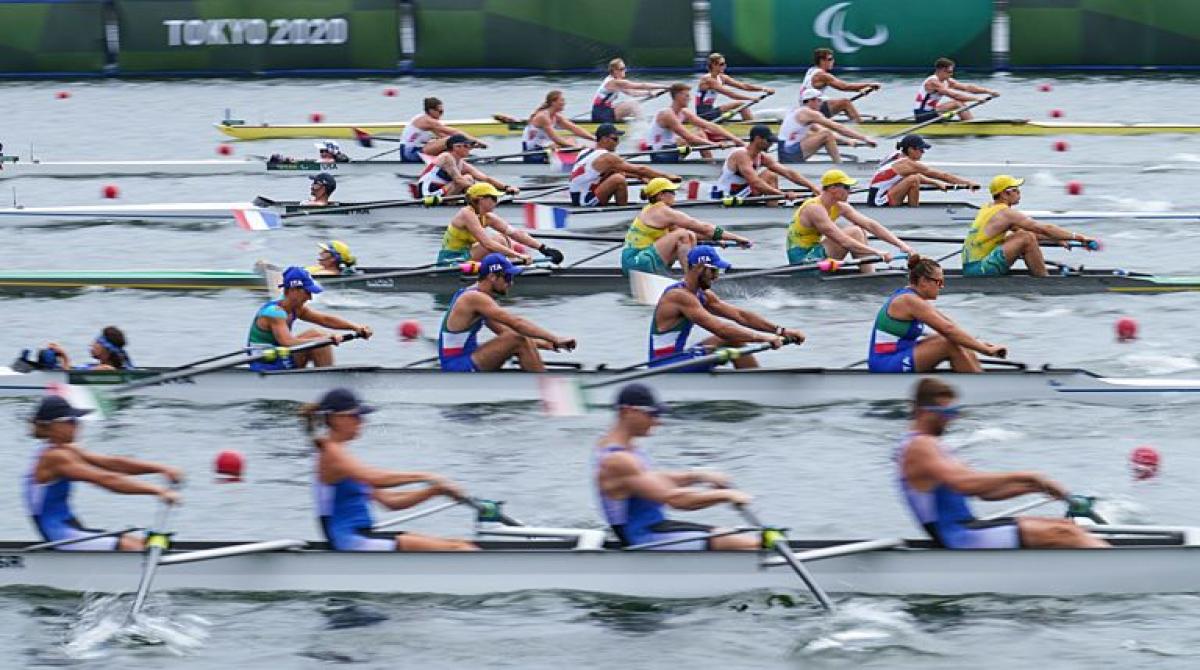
(345, 513)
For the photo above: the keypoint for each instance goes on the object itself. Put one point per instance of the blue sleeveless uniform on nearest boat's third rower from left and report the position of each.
(638, 521)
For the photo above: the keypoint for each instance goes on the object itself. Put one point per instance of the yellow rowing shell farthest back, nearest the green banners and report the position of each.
(742, 129)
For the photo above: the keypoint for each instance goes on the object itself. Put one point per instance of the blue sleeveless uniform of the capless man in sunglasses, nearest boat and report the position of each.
(947, 518)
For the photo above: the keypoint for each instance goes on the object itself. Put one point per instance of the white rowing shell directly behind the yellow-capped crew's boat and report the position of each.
(580, 219)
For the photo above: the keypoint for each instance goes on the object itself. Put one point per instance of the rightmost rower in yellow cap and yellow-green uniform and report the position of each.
(1001, 236)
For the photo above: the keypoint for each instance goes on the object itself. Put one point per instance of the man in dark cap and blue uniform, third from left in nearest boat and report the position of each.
(633, 495)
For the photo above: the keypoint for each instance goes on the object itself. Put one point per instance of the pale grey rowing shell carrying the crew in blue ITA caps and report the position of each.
(767, 387)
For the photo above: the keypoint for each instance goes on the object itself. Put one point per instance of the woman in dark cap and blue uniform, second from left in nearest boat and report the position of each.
(345, 487)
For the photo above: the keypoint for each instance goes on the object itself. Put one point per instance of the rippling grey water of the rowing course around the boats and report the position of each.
(823, 471)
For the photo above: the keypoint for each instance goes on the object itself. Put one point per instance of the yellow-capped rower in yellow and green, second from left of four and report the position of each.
(662, 237)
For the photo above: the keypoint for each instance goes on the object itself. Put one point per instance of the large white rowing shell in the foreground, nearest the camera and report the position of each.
(1145, 560)
